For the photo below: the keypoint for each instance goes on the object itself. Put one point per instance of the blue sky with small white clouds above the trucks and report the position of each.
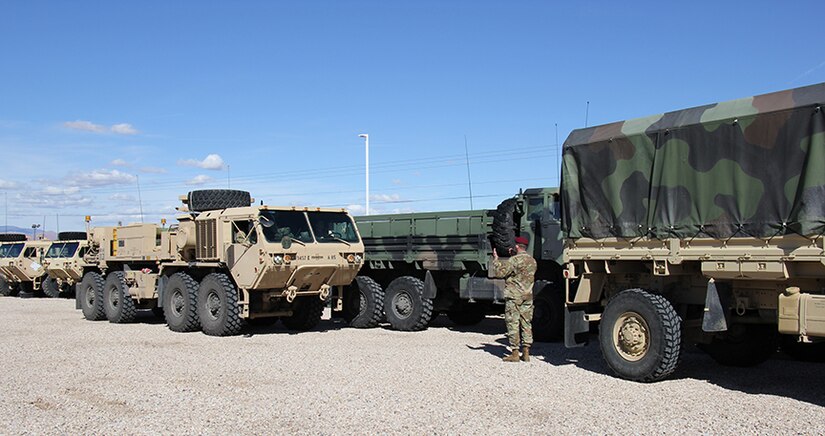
(98, 98)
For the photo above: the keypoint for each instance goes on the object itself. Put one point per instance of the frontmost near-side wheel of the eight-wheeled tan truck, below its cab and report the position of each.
(217, 304)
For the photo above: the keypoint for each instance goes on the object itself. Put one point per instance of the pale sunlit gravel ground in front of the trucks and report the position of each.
(62, 374)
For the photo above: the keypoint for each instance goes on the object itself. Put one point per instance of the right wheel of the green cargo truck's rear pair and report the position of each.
(405, 305)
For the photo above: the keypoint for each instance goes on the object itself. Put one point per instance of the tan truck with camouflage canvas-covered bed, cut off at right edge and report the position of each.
(704, 224)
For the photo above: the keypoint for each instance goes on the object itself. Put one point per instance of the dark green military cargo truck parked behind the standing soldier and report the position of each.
(422, 264)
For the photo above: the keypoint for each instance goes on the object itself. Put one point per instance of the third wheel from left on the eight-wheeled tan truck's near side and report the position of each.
(180, 303)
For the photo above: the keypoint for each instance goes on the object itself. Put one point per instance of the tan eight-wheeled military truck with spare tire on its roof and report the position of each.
(224, 262)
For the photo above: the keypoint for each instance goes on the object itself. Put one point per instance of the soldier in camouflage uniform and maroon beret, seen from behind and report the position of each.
(518, 273)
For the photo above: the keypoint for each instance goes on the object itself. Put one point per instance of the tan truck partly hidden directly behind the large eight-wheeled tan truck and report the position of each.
(64, 264)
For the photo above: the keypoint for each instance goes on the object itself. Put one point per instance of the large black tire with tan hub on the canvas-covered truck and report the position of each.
(640, 336)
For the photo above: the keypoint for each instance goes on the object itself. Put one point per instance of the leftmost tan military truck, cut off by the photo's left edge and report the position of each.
(21, 265)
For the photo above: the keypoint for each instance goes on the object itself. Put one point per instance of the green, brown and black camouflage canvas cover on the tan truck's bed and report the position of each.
(749, 167)
